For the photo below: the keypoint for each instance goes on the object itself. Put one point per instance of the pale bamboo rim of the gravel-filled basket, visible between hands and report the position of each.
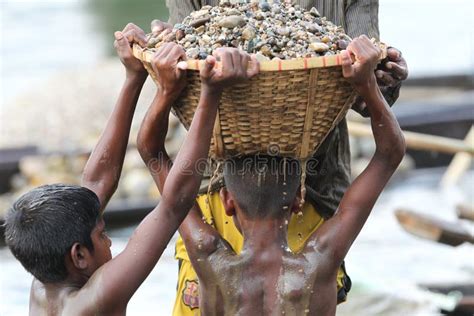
(145, 55)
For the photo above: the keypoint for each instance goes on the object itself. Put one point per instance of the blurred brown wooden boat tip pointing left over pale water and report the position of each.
(431, 228)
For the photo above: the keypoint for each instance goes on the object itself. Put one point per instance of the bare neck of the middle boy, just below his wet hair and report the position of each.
(261, 235)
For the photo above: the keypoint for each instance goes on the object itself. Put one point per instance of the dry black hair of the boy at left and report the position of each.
(43, 224)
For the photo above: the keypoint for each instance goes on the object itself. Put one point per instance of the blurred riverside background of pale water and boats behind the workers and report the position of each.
(60, 79)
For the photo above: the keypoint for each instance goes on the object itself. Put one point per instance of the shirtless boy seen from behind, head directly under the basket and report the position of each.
(266, 278)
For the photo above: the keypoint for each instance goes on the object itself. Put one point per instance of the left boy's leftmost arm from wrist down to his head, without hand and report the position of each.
(102, 171)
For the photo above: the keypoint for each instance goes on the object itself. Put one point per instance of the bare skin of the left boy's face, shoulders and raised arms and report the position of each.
(95, 283)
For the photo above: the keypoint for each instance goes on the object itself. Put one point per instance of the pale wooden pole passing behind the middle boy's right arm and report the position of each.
(419, 141)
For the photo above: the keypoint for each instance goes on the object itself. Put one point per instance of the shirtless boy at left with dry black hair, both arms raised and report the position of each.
(57, 231)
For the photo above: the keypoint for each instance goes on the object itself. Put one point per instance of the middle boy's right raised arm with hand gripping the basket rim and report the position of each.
(337, 234)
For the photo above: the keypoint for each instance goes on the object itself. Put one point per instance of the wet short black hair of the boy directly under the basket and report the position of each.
(262, 185)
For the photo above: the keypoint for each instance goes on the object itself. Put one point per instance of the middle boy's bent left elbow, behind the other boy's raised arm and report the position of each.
(151, 139)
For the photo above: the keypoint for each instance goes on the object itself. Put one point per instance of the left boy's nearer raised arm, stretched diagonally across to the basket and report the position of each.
(119, 278)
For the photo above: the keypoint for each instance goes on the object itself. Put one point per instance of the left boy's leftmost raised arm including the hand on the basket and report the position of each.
(102, 171)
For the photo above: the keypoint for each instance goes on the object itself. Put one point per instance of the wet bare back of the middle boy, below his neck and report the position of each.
(271, 283)
